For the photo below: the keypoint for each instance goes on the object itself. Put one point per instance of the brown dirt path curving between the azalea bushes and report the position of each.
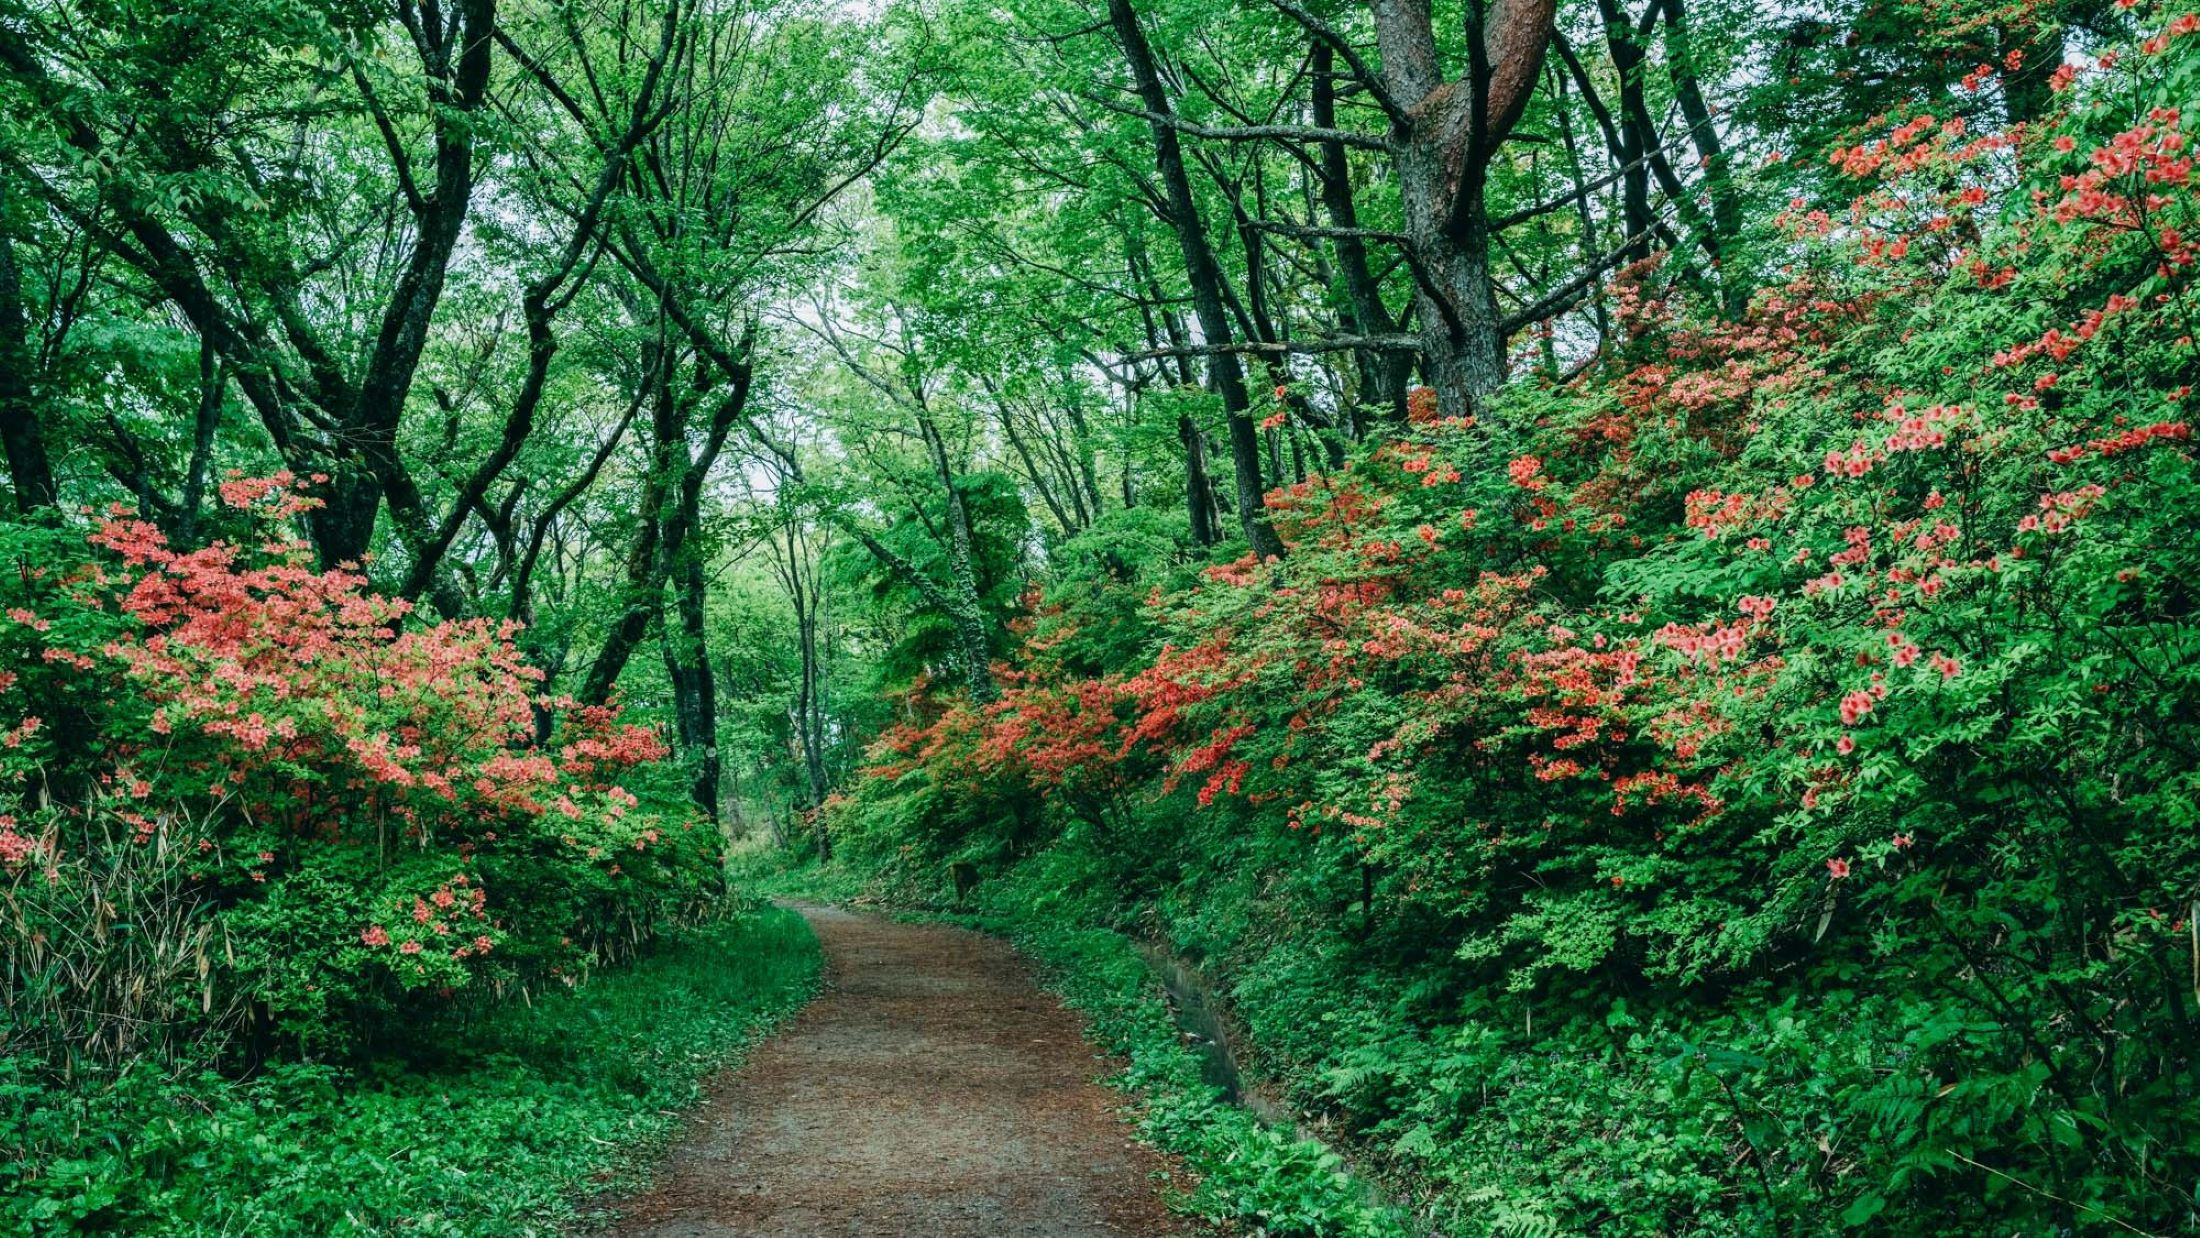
(932, 1090)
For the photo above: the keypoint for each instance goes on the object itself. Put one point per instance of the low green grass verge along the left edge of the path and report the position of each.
(505, 1134)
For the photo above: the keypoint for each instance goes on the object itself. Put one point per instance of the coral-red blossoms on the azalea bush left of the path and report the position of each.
(294, 716)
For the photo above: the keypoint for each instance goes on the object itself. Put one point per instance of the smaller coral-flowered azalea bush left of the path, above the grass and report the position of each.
(252, 795)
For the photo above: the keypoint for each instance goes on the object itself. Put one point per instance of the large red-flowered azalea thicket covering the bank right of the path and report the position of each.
(1812, 696)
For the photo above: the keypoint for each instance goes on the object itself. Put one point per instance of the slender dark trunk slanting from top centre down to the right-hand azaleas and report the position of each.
(1204, 276)
